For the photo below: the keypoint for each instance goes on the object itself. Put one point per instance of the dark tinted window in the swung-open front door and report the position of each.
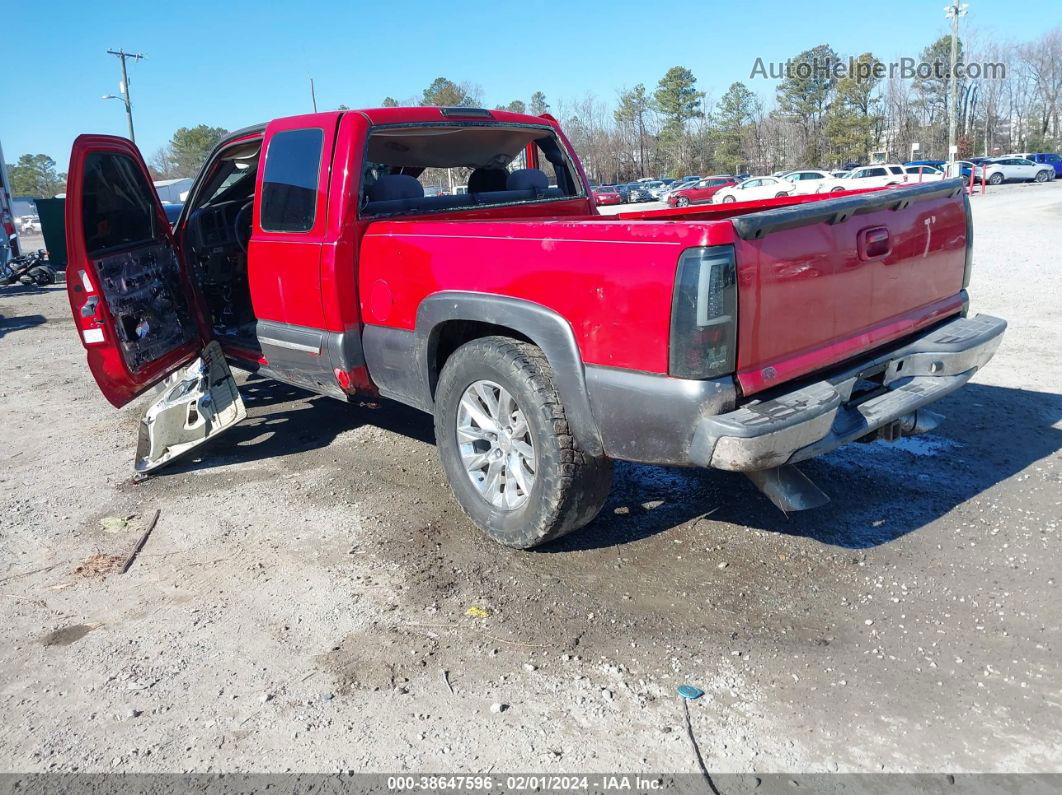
(118, 205)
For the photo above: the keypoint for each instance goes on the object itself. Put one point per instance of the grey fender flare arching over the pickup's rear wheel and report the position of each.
(543, 326)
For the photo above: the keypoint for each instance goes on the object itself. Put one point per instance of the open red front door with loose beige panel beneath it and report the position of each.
(134, 305)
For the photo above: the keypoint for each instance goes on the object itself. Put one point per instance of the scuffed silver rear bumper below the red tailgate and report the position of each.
(823, 416)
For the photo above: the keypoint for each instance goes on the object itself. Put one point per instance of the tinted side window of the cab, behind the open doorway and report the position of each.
(290, 183)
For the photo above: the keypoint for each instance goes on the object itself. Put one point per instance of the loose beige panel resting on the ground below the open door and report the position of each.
(197, 404)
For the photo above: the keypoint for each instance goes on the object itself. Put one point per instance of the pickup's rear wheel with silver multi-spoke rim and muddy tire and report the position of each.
(569, 487)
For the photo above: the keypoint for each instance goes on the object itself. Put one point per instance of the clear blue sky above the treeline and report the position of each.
(232, 64)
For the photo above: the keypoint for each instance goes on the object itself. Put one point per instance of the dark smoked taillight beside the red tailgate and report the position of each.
(704, 341)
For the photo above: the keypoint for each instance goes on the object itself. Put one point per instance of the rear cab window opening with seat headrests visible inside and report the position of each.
(419, 169)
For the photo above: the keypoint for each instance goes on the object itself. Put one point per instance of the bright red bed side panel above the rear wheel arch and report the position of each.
(612, 282)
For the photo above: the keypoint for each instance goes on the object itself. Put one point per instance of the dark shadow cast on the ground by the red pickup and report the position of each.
(879, 492)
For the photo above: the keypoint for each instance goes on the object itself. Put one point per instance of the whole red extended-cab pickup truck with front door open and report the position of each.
(546, 339)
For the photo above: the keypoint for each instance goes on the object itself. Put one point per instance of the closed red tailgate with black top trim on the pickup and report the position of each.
(829, 281)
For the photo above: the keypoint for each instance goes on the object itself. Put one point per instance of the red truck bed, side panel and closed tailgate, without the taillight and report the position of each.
(812, 290)
